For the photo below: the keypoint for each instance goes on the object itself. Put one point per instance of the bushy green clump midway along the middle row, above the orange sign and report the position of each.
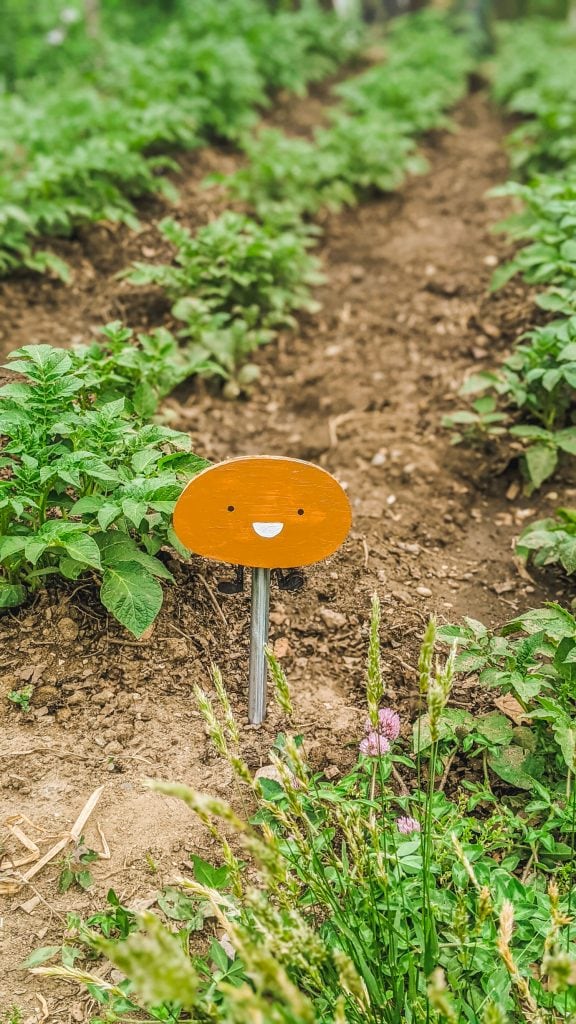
(232, 283)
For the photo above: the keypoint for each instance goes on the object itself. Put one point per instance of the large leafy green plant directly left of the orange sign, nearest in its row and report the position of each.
(87, 487)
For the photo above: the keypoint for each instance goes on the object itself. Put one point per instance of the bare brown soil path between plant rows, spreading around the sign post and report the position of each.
(361, 391)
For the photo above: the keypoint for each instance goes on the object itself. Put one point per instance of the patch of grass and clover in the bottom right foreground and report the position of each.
(349, 913)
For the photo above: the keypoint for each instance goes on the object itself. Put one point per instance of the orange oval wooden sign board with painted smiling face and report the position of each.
(264, 513)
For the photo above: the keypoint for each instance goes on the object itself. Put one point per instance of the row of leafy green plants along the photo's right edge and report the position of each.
(531, 398)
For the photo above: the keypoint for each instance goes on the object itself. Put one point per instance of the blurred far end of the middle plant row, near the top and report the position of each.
(369, 146)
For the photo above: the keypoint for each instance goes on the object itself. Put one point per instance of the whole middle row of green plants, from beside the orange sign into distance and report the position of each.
(68, 510)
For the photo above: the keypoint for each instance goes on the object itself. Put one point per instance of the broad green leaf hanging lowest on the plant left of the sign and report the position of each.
(132, 595)
